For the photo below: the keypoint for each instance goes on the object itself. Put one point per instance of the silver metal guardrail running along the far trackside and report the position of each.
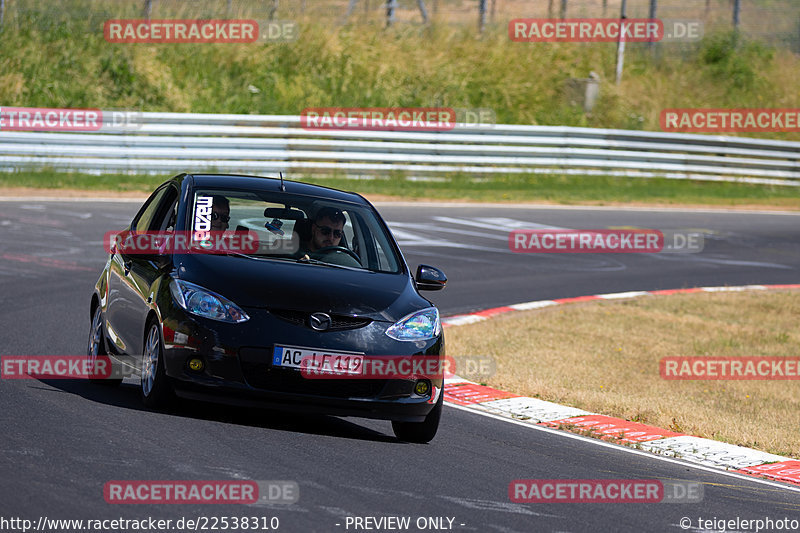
(267, 144)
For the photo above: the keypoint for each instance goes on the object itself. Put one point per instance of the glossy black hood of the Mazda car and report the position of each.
(273, 284)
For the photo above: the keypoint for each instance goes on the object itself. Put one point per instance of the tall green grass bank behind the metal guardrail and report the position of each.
(46, 62)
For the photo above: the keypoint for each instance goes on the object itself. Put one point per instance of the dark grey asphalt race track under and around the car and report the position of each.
(63, 440)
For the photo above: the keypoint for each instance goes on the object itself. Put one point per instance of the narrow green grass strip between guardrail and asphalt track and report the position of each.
(501, 188)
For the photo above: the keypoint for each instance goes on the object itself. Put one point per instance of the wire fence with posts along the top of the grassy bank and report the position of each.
(776, 22)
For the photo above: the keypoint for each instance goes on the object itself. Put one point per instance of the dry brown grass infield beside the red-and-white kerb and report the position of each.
(603, 357)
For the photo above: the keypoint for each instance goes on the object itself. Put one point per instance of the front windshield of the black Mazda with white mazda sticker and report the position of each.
(294, 228)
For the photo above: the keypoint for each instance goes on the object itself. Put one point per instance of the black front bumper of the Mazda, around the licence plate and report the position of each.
(238, 369)
